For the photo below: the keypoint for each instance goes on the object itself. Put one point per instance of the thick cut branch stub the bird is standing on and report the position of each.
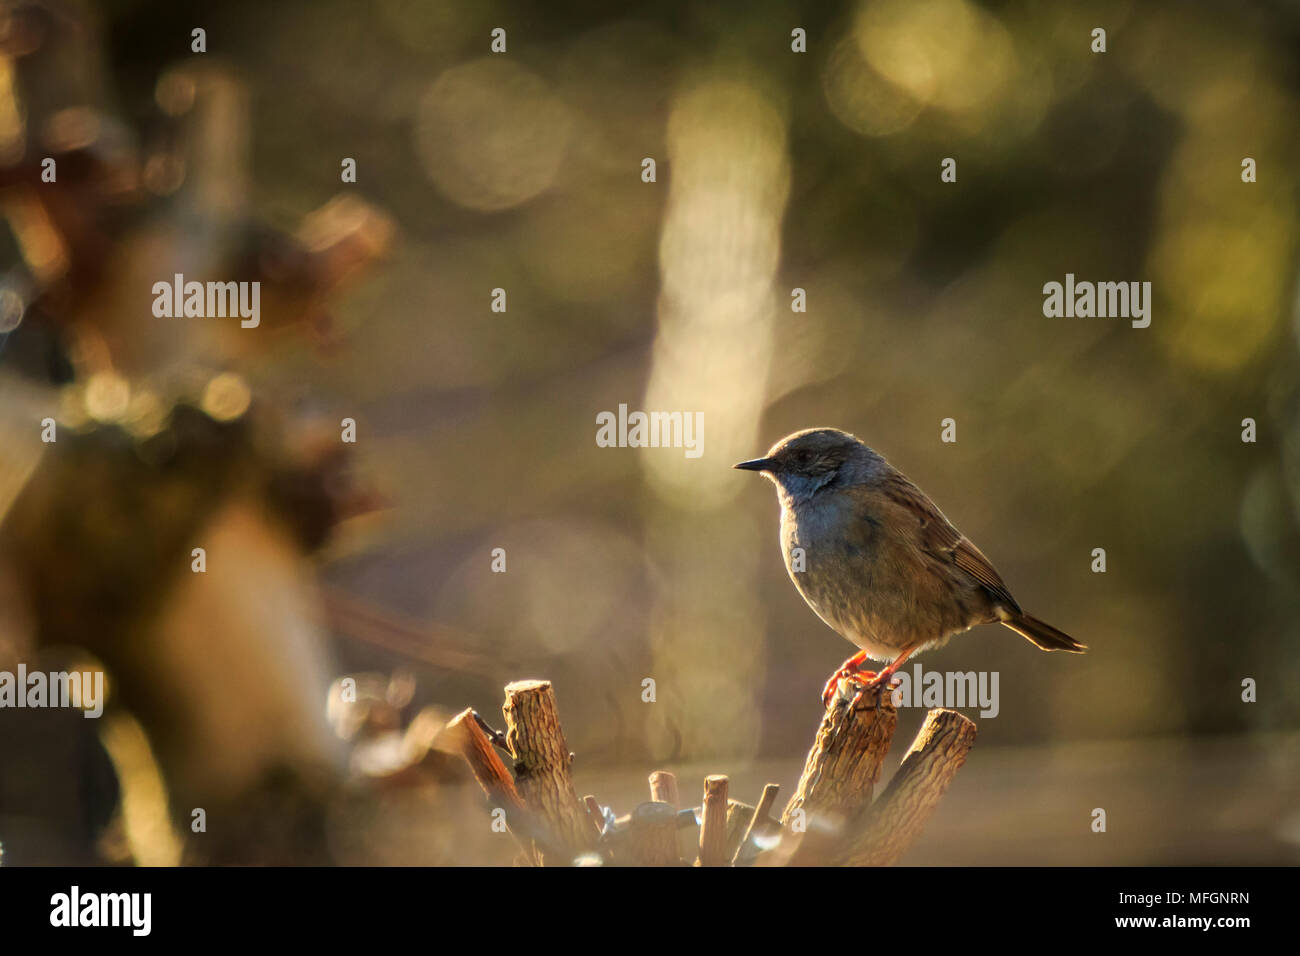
(843, 767)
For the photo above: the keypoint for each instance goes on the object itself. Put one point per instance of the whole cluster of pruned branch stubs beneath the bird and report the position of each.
(831, 820)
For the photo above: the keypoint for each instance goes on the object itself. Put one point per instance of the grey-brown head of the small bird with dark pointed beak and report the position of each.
(817, 460)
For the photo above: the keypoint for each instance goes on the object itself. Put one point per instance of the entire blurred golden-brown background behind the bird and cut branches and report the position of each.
(476, 429)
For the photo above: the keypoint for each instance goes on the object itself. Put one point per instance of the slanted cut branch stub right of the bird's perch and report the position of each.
(896, 820)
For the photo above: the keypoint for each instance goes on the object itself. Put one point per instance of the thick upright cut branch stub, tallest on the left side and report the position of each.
(543, 767)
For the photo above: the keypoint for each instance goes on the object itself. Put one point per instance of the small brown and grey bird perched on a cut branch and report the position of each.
(877, 561)
